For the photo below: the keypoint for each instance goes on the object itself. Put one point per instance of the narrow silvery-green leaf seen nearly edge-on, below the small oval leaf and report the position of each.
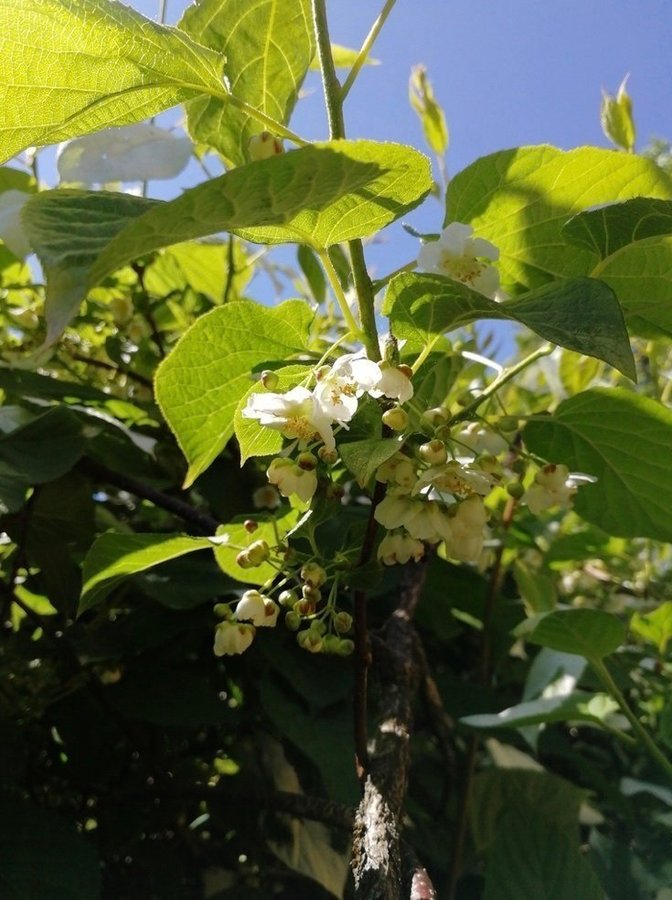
(575, 707)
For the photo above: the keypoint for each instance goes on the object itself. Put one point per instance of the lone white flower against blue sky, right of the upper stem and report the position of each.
(460, 256)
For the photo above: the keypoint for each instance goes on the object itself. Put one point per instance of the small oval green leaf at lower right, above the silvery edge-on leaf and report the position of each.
(591, 633)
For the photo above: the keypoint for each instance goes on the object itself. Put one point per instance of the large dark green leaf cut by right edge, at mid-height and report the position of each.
(624, 440)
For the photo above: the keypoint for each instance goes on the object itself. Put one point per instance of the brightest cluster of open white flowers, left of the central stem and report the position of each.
(309, 416)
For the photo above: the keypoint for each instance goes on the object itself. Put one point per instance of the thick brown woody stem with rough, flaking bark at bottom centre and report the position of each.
(377, 846)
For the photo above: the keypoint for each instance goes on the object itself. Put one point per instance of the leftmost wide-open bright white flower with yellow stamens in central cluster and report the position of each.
(297, 414)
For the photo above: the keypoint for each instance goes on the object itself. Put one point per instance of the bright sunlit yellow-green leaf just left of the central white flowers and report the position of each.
(199, 385)
